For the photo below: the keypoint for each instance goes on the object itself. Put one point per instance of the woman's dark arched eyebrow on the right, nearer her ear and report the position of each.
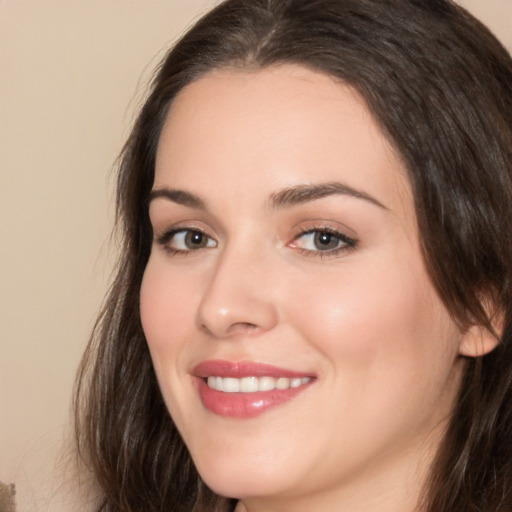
(292, 196)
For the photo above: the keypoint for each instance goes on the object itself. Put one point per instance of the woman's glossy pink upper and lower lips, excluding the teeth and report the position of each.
(243, 405)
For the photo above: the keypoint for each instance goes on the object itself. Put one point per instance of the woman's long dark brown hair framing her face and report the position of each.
(440, 86)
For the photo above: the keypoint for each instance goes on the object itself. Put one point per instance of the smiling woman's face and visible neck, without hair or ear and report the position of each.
(300, 346)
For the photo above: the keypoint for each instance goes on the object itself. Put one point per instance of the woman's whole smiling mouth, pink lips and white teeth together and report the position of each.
(244, 390)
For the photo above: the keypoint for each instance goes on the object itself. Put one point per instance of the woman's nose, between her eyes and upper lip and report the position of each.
(239, 297)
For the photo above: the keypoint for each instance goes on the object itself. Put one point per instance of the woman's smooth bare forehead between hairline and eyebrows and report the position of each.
(275, 127)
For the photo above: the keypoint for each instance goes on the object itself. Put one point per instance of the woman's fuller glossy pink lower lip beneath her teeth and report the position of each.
(245, 405)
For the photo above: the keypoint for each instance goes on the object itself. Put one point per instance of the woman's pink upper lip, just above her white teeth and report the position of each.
(240, 369)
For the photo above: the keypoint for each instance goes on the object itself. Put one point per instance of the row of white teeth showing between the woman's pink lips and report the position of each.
(253, 384)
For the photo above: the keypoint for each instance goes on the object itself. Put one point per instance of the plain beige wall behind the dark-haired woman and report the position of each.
(71, 75)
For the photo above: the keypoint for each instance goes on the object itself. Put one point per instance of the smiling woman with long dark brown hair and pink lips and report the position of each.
(312, 309)
